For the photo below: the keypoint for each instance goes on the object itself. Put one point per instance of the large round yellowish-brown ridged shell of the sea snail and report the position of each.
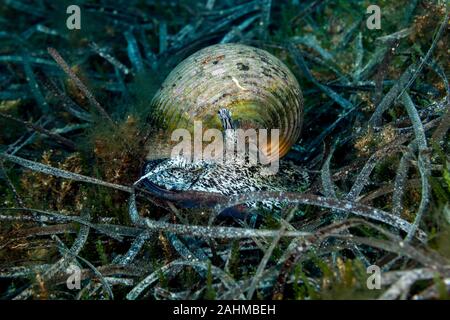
(258, 89)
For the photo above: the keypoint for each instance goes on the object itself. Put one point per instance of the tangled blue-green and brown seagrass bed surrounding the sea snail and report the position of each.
(75, 131)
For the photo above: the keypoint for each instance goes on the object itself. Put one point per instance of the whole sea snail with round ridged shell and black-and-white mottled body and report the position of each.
(256, 90)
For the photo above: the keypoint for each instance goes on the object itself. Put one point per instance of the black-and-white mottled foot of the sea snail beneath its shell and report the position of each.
(206, 183)
